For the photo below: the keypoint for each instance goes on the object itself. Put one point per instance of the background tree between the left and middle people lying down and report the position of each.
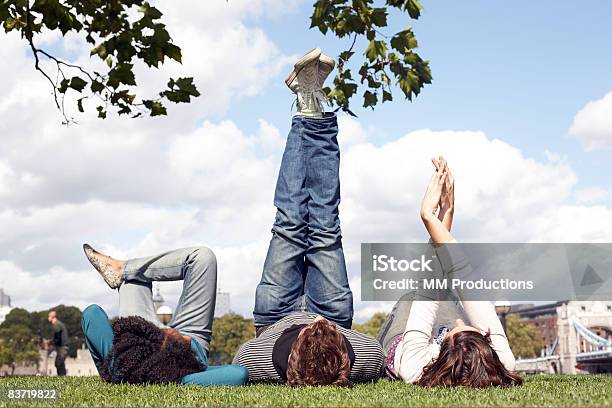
(230, 331)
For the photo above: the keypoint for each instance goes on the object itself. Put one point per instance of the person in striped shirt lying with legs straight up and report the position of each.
(303, 303)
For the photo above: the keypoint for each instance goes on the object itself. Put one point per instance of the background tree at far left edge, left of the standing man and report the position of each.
(18, 346)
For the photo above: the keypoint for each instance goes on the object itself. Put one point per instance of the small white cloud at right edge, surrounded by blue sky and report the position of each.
(593, 124)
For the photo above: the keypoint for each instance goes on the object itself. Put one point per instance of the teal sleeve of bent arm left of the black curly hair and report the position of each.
(98, 333)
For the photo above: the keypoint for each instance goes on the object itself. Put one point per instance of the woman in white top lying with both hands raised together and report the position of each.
(476, 355)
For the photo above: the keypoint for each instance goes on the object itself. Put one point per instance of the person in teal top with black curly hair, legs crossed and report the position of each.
(137, 348)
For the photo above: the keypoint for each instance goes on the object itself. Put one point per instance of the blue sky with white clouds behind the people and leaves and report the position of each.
(521, 104)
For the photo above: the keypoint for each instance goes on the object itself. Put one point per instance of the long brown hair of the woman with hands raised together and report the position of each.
(467, 359)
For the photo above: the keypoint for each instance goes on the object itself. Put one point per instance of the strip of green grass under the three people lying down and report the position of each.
(541, 391)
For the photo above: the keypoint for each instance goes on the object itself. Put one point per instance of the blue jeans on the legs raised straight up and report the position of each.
(305, 255)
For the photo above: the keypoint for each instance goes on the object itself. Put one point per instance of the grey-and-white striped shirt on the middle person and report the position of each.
(256, 354)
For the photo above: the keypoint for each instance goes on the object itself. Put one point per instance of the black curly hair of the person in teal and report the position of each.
(142, 353)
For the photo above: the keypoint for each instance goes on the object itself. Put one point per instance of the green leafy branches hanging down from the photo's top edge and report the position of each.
(122, 33)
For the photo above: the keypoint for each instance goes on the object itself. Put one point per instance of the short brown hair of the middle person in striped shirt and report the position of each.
(319, 356)
